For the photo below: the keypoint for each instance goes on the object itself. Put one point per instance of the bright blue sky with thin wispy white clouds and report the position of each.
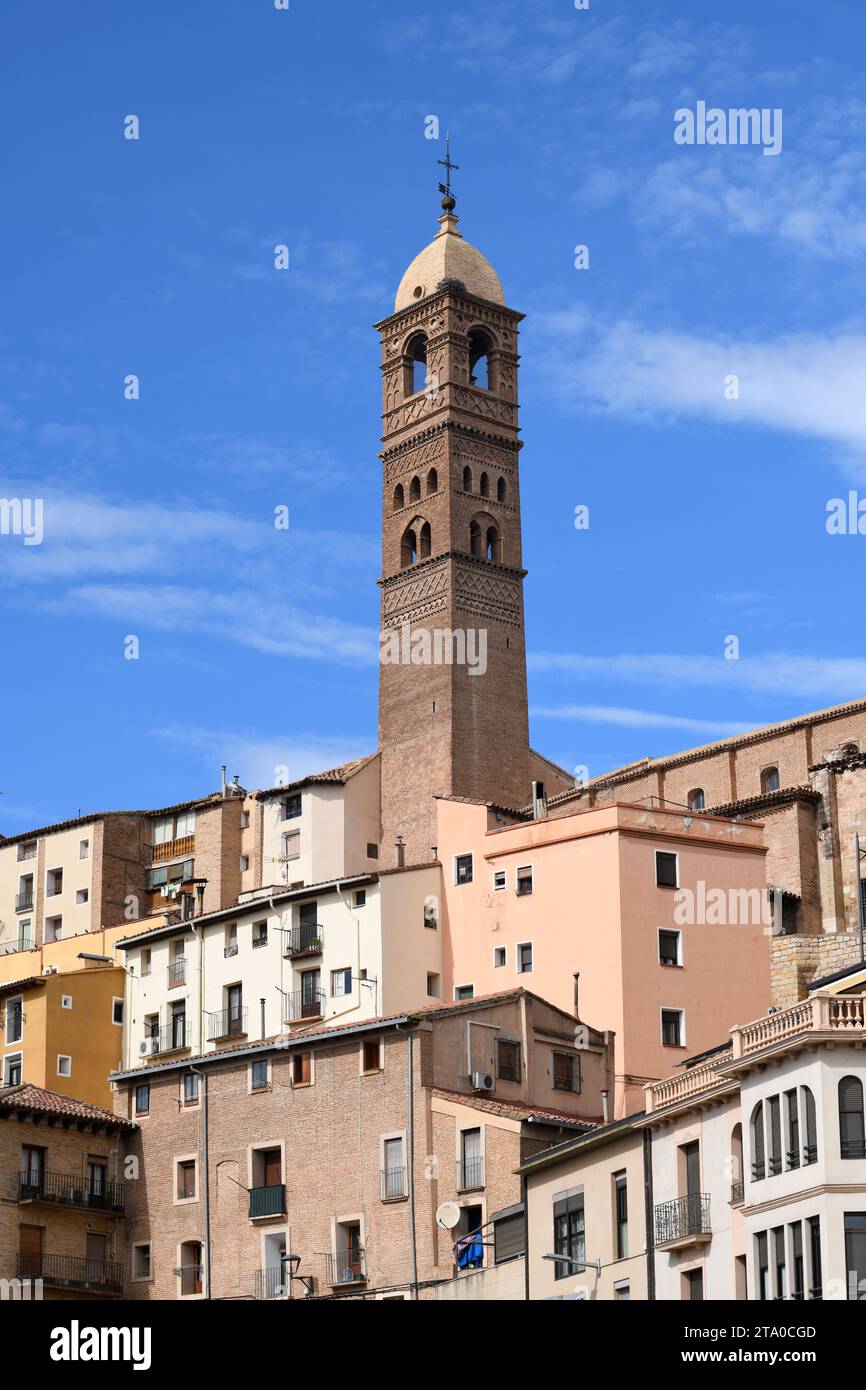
(261, 389)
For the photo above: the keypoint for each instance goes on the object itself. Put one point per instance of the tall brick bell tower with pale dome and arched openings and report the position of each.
(451, 546)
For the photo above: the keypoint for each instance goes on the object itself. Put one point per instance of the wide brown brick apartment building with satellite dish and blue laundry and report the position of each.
(338, 1146)
